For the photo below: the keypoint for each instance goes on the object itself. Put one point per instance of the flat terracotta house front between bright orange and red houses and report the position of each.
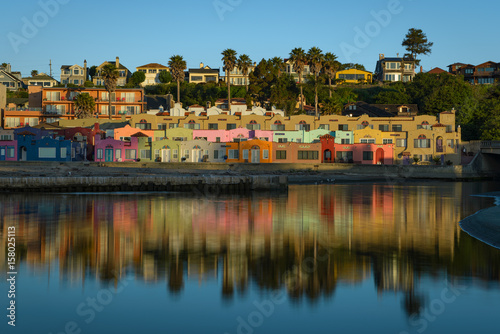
(296, 152)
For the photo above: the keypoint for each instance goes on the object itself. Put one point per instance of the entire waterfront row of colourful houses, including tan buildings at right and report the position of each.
(119, 141)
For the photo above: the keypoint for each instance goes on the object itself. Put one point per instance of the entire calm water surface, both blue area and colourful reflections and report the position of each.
(356, 258)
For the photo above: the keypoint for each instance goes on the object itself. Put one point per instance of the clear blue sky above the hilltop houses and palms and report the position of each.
(65, 32)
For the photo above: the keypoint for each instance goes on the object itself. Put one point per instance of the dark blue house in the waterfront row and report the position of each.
(44, 149)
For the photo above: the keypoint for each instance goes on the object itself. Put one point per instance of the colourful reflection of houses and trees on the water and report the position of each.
(310, 241)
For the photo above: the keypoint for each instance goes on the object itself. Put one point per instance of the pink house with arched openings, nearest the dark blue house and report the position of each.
(112, 150)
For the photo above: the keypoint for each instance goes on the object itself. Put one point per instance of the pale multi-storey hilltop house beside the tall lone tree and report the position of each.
(394, 69)
